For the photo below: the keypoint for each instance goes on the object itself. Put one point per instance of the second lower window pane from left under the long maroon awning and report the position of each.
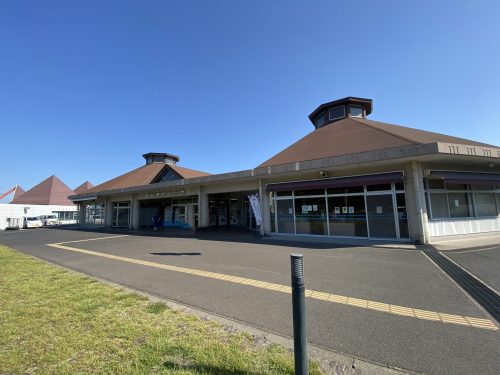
(310, 216)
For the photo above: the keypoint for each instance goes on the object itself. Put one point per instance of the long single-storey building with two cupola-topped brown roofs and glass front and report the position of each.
(350, 177)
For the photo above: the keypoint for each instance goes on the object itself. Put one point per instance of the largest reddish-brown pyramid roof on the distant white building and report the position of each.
(50, 191)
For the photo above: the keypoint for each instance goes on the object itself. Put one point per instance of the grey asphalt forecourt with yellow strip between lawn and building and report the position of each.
(388, 305)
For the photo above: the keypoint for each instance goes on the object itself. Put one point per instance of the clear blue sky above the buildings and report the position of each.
(87, 87)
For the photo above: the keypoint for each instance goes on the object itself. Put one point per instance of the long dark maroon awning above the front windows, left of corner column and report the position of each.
(337, 182)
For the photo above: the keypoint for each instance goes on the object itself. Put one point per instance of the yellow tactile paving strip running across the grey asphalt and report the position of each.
(333, 298)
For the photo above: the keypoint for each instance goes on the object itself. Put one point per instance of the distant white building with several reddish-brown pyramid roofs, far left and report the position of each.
(49, 197)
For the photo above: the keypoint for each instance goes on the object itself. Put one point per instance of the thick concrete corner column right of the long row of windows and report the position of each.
(417, 208)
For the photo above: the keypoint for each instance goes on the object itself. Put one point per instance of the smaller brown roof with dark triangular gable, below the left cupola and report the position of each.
(144, 175)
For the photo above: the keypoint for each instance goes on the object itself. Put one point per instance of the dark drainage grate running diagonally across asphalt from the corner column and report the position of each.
(483, 295)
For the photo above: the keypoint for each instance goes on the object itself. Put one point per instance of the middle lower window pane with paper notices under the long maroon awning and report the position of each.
(347, 216)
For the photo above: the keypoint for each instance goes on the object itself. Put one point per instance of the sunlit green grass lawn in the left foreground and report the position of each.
(55, 322)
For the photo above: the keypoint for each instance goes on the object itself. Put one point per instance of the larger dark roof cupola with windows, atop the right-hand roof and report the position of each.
(331, 112)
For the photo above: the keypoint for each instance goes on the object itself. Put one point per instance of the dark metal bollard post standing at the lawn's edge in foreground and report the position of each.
(299, 315)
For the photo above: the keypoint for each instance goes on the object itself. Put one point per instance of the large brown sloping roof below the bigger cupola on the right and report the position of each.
(355, 135)
